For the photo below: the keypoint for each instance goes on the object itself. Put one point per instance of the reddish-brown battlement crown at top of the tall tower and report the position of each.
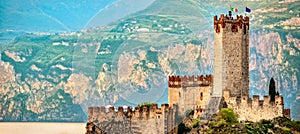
(235, 24)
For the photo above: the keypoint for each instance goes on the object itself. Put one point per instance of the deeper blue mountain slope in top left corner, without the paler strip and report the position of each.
(48, 16)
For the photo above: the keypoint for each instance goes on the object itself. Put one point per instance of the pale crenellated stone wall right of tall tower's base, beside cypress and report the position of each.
(255, 109)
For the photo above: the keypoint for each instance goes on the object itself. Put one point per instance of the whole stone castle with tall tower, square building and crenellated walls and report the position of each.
(228, 87)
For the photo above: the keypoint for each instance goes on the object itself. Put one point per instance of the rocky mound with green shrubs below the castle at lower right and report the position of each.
(226, 122)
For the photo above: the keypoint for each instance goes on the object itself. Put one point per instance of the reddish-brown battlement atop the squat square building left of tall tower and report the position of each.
(190, 81)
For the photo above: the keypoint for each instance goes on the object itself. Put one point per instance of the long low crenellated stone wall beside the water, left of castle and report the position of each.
(138, 120)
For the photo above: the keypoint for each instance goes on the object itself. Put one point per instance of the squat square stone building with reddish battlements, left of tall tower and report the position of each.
(189, 92)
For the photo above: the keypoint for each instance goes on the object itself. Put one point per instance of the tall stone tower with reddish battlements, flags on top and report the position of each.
(231, 55)
